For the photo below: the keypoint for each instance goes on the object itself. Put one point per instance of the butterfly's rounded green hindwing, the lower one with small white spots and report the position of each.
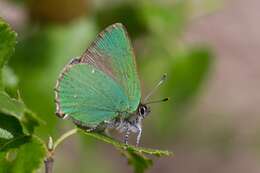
(90, 96)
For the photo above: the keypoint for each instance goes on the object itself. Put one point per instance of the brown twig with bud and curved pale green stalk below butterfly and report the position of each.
(51, 148)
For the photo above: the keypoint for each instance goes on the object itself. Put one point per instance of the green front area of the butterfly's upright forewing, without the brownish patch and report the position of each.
(116, 44)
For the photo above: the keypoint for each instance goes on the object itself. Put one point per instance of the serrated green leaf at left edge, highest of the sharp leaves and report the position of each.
(7, 45)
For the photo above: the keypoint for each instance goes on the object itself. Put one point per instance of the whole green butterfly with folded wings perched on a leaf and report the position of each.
(101, 89)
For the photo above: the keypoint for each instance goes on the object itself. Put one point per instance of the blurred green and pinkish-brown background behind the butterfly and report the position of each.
(208, 48)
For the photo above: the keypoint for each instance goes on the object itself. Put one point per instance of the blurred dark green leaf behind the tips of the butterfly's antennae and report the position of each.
(188, 70)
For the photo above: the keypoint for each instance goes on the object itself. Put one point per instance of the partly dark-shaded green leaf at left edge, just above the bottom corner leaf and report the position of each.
(20, 123)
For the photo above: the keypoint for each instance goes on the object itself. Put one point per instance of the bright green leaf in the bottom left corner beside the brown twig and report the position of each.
(25, 159)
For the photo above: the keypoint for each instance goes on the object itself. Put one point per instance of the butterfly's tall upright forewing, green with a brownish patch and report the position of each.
(112, 53)
